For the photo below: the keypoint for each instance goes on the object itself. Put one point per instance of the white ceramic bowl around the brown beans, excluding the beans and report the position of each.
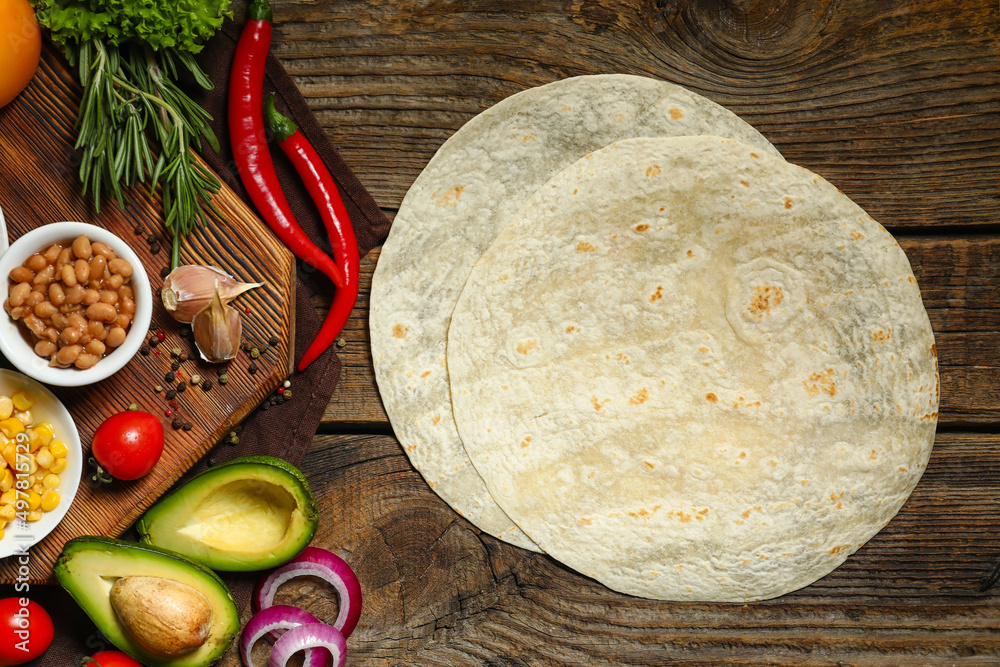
(16, 342)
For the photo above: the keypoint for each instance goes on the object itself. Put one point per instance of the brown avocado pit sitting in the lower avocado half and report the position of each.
(164, 616)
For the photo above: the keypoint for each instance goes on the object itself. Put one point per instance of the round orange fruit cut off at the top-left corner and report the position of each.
(20, 47)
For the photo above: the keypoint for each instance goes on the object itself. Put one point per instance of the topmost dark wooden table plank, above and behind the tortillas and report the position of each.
(894, 102)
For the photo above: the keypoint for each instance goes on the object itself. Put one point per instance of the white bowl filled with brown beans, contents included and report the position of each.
(78, 303)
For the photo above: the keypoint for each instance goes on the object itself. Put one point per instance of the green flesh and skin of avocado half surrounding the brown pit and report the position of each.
(89, 566)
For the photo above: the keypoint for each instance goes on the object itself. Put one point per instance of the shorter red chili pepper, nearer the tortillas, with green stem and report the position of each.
(323, 190)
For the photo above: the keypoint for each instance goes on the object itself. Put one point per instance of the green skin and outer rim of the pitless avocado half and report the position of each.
(297, 486)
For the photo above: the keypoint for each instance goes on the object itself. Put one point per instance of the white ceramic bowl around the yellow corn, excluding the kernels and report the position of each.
(47, 408)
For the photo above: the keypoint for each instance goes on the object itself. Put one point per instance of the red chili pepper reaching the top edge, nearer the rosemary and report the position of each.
(246, 132)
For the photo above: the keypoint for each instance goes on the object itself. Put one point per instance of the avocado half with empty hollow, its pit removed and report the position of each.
(250, 513)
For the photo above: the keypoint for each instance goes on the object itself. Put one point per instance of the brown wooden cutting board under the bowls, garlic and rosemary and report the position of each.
(38, 185)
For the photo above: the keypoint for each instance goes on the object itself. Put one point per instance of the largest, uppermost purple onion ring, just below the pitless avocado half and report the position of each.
(329, 567)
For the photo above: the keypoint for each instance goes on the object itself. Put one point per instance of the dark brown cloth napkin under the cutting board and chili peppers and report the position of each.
(285, 430)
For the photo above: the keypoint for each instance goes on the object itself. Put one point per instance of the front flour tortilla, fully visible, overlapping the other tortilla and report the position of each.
(694, 371)
